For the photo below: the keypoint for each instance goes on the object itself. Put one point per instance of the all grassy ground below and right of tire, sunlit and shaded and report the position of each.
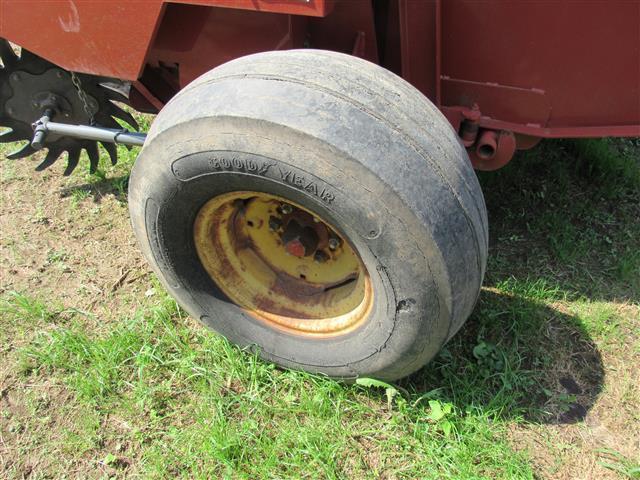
(146, 392)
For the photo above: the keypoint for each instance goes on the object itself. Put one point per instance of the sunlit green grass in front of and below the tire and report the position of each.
(199, 407)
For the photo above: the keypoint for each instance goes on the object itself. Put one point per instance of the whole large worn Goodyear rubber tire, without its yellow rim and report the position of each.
(363, 149)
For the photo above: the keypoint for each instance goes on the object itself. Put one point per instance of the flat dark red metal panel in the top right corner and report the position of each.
(583, 57)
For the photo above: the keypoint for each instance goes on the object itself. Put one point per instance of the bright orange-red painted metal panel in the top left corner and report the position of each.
(103, 37)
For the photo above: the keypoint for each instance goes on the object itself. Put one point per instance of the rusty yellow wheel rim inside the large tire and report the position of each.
(283, 264)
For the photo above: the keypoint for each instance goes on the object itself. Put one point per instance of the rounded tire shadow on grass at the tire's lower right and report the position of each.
(516, 358)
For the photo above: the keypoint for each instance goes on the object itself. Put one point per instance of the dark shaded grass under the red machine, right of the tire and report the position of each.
(566, 219)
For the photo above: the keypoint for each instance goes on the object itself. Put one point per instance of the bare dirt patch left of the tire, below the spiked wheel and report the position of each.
(80, 251)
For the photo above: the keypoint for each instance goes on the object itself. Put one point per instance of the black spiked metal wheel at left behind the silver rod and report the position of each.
(23, 78)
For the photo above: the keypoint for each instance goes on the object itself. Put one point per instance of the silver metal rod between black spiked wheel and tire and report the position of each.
(124, 137)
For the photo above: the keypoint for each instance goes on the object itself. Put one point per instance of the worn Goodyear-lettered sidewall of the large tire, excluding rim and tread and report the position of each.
(192, 162)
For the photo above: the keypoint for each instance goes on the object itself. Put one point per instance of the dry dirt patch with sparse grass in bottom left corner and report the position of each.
(44, 434)
